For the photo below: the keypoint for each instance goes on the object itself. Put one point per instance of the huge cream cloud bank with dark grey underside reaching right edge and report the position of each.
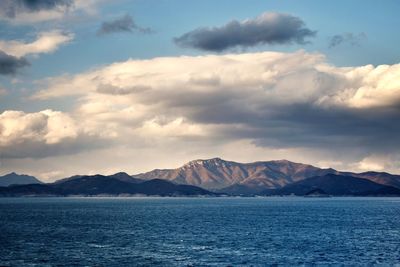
(275, 99)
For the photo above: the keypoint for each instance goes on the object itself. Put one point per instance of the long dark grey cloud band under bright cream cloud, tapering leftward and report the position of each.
(305, 126)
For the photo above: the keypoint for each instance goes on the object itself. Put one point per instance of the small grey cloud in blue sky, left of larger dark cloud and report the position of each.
(122, 24)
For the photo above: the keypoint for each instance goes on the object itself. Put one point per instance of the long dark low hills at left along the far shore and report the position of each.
(104, 185)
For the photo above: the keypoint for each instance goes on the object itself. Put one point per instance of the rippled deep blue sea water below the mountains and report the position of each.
(199, 231)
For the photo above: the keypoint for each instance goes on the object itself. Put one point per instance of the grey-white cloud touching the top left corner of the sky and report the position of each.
(36, 11)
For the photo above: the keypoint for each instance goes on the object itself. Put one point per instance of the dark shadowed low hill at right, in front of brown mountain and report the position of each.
(337, 185)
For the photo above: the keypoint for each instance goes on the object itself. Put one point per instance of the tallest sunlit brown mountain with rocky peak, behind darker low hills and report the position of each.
(215, 174)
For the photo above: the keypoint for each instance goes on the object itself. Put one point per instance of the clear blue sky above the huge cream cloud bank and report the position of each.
(172, 18)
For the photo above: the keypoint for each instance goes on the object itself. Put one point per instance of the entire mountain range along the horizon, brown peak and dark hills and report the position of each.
(216, 176)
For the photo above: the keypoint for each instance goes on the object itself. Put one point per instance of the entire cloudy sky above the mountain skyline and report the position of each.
(101, 86)
